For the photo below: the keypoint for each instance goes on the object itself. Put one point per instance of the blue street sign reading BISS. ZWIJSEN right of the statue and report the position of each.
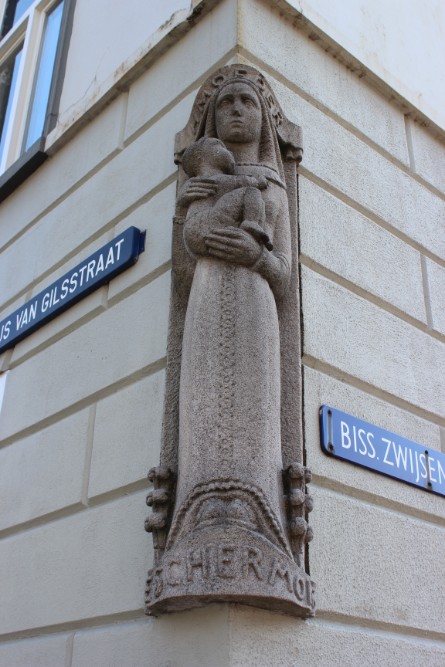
(350, 439)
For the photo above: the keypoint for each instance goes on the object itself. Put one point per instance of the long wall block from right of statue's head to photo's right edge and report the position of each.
(364, 177)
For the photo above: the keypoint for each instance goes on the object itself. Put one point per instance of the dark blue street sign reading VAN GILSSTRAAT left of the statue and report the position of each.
(95, 271)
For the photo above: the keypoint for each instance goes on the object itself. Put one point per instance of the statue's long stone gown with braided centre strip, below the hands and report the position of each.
(230, 383)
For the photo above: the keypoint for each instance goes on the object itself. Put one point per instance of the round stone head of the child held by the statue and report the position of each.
(207, 153)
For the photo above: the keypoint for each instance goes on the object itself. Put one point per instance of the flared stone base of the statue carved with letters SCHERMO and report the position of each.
(233, 561)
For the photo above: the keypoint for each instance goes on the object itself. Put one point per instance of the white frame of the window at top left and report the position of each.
(29, 31)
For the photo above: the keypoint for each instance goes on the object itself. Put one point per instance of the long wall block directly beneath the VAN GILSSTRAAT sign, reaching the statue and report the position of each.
(121, 341)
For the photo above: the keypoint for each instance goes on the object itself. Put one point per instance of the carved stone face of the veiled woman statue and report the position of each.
(238, 114)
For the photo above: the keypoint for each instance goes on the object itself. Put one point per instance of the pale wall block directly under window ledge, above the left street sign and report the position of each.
(96, 142)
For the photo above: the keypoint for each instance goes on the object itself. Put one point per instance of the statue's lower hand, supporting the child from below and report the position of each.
(233, 245)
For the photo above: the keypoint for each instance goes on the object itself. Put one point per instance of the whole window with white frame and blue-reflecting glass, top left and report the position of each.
(32, 50)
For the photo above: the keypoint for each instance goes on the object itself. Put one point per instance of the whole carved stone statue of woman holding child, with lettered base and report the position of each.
(230, 502)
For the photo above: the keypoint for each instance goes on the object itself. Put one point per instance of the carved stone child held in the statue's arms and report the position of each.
(236, 199)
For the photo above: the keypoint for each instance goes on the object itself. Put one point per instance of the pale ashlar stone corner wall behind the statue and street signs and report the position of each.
(81, 416)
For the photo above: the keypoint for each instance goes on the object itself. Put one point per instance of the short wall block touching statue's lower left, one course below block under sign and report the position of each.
(127, 435)
